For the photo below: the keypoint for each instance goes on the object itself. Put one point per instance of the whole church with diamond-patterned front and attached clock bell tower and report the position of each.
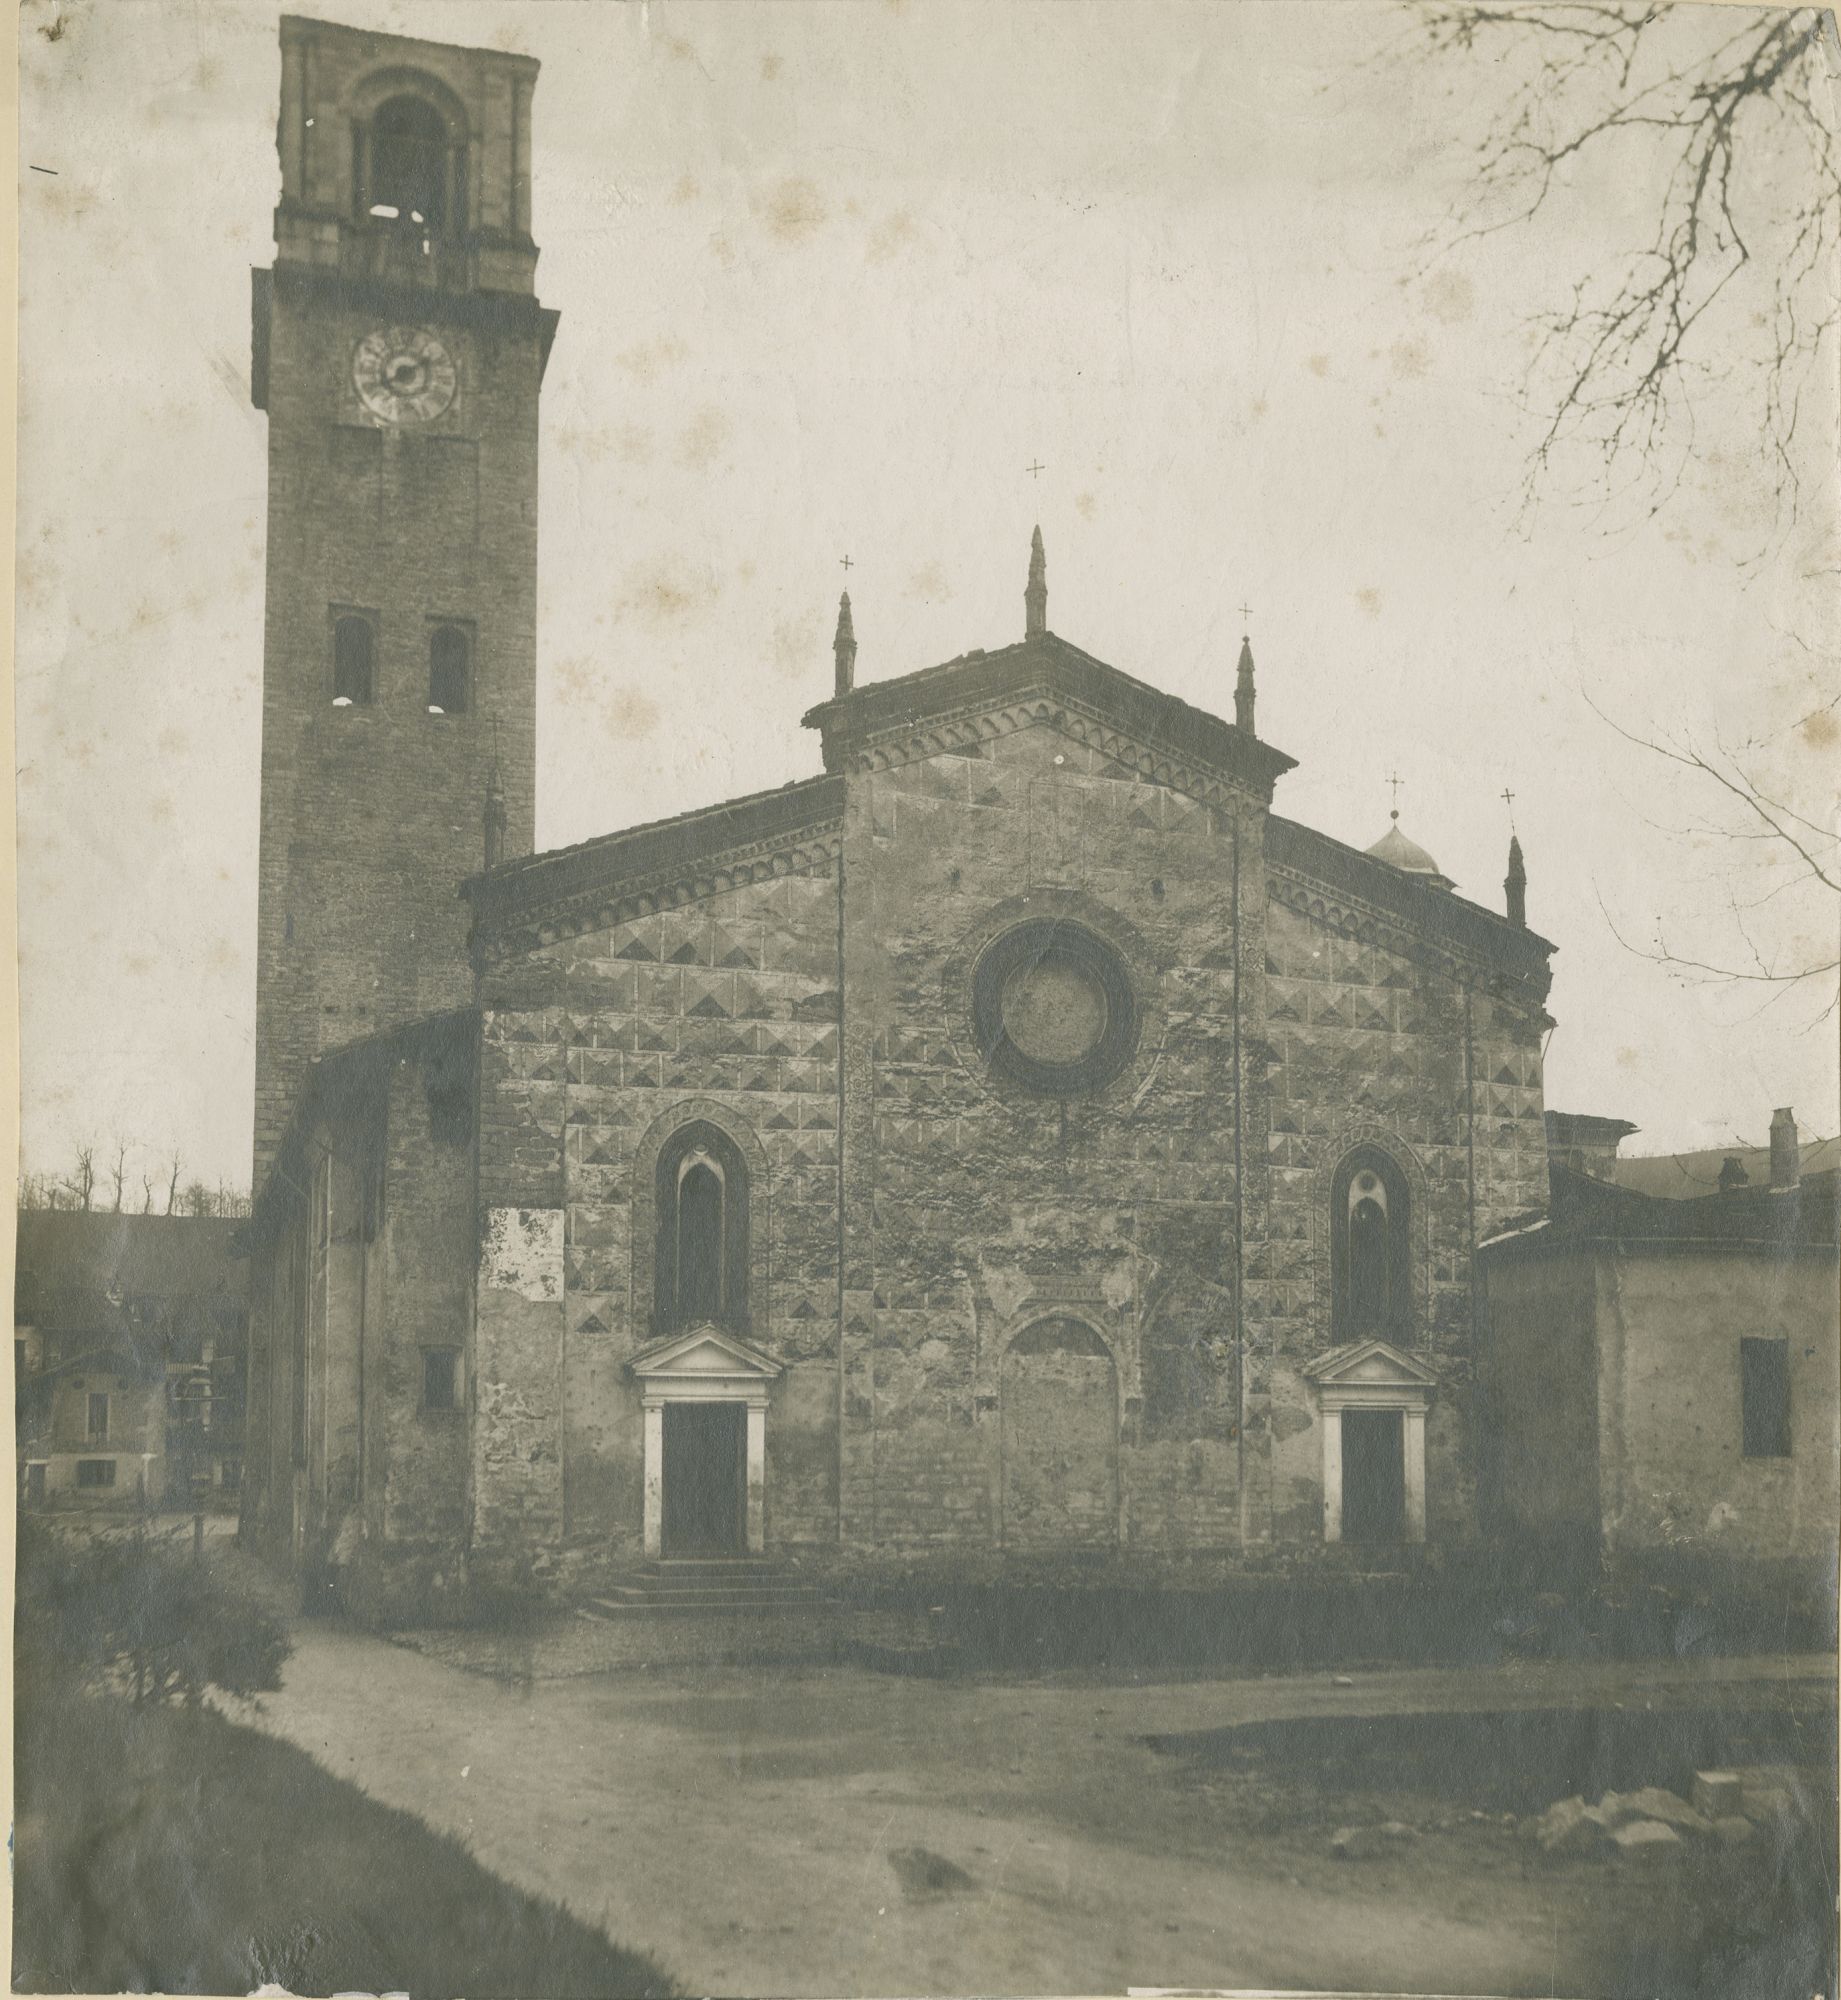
(1012, 1139)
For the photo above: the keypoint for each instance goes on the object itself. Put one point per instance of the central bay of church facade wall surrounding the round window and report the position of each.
(978, 1211)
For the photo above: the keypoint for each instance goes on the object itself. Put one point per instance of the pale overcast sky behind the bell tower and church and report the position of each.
(831, 279)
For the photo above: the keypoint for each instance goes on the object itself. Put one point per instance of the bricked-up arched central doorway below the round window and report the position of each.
(1060, 1425)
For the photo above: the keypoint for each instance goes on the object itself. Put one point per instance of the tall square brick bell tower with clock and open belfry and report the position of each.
(399, 351)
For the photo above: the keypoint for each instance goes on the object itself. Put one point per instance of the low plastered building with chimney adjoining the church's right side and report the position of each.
(1666, 1369)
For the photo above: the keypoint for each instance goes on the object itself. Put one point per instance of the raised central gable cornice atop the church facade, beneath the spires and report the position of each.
(1046, 667)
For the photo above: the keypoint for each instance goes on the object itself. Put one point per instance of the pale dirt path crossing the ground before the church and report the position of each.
(845, 1833)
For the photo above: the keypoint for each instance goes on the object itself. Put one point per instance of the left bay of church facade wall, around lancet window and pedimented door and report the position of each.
(595, 1053)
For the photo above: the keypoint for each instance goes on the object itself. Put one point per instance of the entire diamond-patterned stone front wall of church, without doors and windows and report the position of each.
(1004, 1317)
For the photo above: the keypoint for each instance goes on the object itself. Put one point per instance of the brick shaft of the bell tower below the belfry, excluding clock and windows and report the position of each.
(373, 815)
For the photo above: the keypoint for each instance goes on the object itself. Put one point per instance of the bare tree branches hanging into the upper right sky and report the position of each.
(1734, 117)
